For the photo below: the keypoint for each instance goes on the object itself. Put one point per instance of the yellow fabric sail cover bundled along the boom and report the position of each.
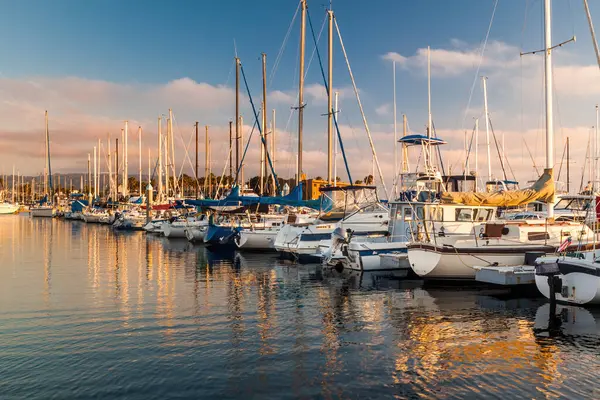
(541, 190)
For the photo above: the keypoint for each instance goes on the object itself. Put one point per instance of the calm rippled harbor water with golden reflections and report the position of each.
(87, 313)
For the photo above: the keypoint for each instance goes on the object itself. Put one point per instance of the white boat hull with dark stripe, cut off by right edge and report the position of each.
(573, 280)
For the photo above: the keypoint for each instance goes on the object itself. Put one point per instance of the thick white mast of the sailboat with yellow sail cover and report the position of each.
(549, 88)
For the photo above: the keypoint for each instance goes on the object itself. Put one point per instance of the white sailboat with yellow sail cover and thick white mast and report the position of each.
(503, 243)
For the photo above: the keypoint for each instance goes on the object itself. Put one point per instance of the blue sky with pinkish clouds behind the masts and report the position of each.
(145, 45)
